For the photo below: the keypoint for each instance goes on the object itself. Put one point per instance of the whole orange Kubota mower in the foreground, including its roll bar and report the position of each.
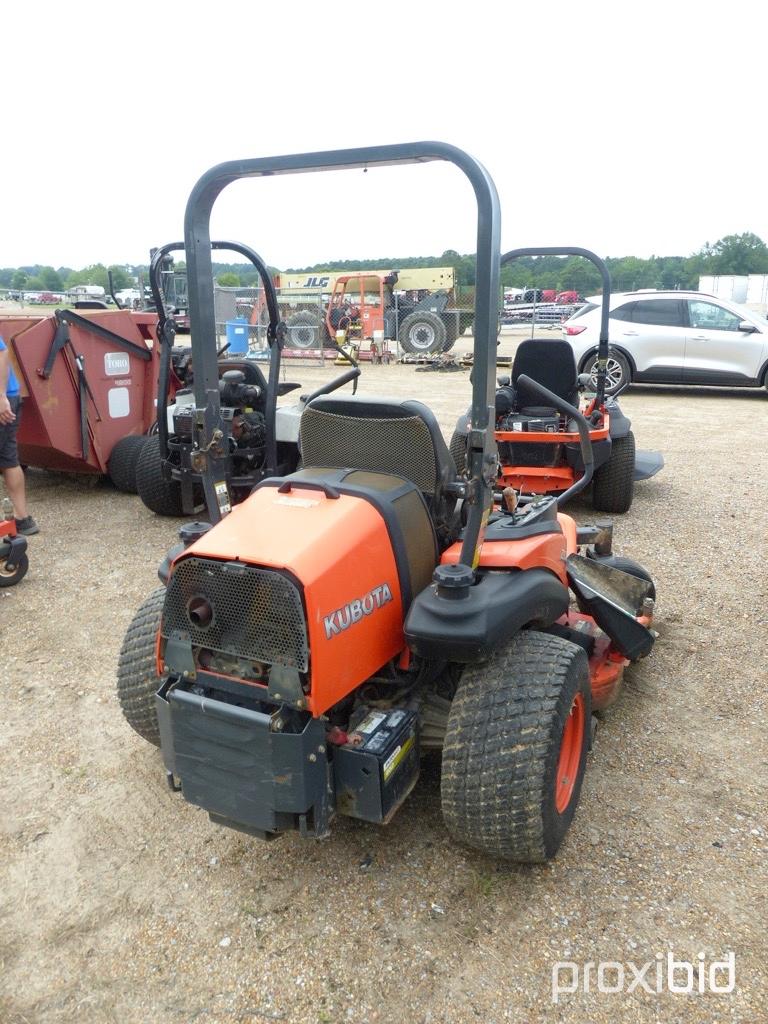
(314, 643)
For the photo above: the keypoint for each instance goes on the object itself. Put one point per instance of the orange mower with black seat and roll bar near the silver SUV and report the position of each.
(539, 443)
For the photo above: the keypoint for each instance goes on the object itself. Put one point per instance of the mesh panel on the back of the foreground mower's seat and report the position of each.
(403, 446)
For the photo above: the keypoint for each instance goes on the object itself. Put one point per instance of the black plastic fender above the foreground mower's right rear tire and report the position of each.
(472, 627)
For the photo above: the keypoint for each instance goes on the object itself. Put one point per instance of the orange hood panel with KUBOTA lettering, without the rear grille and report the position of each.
(339, 550)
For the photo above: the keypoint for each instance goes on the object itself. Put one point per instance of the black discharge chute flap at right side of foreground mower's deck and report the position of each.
(615, 600)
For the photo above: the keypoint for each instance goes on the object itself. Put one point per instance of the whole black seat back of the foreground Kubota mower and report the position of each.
(386, 436)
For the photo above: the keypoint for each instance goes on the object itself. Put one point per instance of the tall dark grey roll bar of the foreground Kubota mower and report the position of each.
(482, 445)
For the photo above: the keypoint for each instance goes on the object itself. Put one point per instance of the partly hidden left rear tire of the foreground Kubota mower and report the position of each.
(138, 673)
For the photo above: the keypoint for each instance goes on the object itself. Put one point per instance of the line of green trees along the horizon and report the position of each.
(734, 254)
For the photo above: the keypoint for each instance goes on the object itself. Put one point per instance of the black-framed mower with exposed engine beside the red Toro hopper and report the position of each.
(257, 440)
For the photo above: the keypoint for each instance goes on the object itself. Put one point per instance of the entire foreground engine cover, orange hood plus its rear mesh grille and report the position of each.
(298, 551)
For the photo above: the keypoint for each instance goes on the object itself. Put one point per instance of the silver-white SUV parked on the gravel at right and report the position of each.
(673, 338)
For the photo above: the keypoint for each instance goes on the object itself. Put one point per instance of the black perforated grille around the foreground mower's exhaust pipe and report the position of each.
(258, 614)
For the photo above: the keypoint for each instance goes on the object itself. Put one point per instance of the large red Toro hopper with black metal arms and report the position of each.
(90, 383)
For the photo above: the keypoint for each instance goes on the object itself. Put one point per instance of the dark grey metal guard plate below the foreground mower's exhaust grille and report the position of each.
(235, 765)
